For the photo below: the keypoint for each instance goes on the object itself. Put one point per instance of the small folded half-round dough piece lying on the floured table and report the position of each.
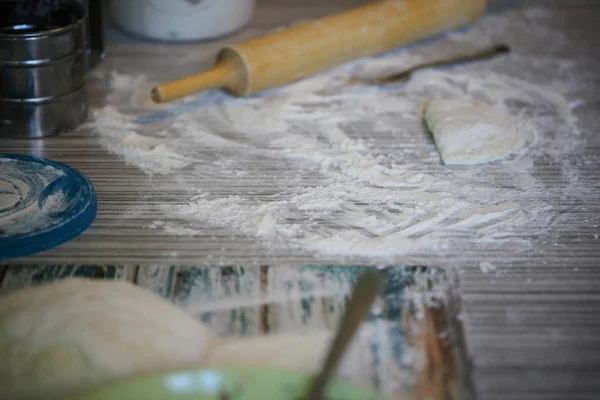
(471, 132)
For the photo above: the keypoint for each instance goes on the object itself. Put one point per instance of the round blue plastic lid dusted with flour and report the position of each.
(43, 204)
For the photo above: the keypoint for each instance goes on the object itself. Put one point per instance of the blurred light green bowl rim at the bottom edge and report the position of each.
(224, 384)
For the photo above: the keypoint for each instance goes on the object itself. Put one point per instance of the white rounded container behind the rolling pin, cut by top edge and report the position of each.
(181, 20)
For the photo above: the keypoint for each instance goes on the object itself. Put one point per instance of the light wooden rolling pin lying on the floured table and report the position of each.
(291, 54)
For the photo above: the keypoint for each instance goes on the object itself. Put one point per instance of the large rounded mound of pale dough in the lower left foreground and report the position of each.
(63, 338)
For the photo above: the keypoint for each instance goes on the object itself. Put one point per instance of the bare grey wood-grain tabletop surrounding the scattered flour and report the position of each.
(531, 327)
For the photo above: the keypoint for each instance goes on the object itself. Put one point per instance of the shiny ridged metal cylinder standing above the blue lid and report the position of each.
(42, 68)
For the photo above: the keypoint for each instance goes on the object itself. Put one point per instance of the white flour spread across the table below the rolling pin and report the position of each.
(349, 170)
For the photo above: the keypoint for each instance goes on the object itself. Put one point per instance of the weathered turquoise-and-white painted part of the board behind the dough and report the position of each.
(249, 302)
